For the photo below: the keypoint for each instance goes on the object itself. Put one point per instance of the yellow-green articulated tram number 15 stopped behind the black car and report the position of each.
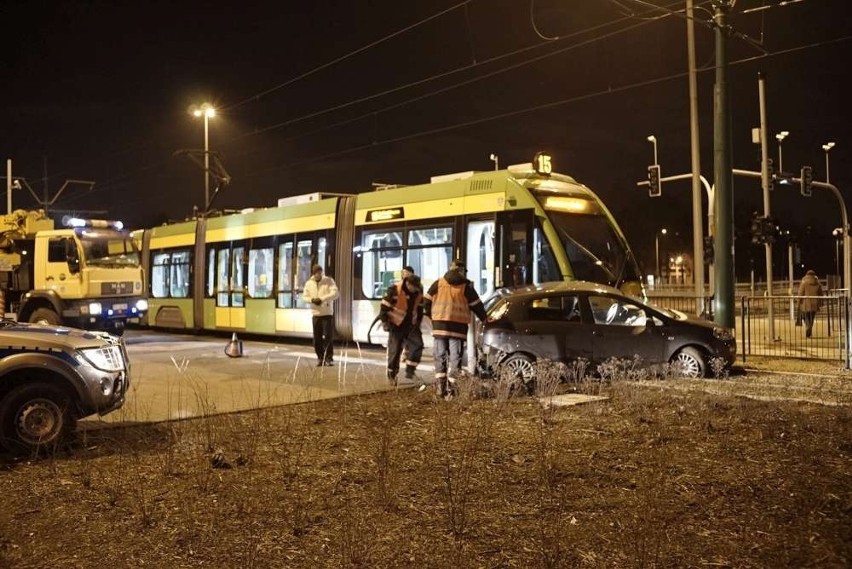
(244, 272)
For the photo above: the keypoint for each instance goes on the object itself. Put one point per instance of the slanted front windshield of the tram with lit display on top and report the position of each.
(595, 250)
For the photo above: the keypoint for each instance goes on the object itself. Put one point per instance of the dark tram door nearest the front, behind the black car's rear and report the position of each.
(514, 248)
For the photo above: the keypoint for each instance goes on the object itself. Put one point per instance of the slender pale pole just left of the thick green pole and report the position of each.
(697, 232)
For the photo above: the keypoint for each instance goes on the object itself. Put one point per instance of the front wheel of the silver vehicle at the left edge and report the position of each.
(35, 416)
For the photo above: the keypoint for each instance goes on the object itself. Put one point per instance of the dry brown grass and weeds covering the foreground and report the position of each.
(647, 478)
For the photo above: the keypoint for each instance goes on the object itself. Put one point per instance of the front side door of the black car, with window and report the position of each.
(621, 329)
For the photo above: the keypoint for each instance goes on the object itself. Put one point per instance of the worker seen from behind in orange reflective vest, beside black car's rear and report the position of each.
(449, 302)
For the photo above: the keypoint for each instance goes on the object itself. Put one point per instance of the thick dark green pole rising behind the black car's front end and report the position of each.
(724, 180)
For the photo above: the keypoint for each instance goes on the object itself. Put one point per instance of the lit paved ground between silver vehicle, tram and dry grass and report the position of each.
(179, 376)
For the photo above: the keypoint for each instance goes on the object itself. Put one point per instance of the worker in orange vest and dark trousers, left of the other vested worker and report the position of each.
(401, 313)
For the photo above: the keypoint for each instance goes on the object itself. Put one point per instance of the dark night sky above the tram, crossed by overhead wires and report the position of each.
(335, 96)
